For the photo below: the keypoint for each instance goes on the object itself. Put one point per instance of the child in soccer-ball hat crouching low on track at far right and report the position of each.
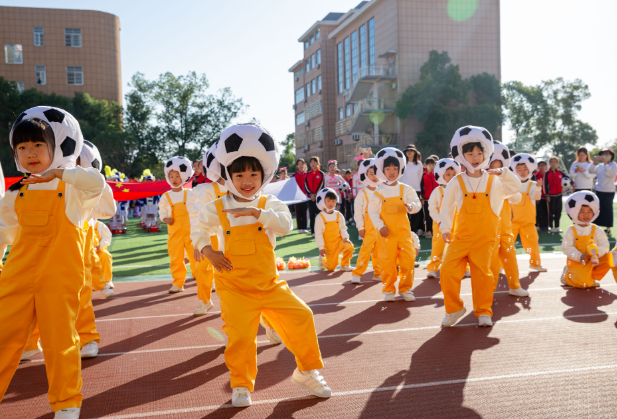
(584, 270)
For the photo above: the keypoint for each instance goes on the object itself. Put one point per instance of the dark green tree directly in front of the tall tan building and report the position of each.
(443, 102)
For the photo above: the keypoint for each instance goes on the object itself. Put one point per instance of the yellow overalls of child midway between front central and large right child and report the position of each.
(397, 249)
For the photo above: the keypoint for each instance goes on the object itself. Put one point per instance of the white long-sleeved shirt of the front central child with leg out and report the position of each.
(276, 220)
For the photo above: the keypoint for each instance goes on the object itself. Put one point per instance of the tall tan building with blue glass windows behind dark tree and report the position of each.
(357, 64)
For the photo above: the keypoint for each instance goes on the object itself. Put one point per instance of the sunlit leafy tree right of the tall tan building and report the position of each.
(548, 112)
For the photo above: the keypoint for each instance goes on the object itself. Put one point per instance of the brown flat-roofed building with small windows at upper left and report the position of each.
(62, 51)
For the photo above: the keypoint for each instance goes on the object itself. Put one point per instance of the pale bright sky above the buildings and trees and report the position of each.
(249, 46)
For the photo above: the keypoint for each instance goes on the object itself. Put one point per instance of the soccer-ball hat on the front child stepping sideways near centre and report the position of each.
(250, 140)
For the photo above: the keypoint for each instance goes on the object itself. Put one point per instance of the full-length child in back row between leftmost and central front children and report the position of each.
(174, 211)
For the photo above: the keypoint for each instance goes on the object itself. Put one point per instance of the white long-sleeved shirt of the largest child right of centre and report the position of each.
(505, 184)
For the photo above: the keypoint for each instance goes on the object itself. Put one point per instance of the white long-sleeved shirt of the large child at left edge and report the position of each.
(82, 192)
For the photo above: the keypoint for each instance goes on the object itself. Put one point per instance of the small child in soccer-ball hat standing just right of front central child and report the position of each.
(331, 235)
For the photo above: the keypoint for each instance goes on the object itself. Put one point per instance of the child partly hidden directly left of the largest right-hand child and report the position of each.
(445, 171)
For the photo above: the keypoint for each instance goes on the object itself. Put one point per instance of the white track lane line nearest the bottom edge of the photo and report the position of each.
(373, 390)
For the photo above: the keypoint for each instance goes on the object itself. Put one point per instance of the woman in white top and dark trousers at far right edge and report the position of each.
(605, 169)
